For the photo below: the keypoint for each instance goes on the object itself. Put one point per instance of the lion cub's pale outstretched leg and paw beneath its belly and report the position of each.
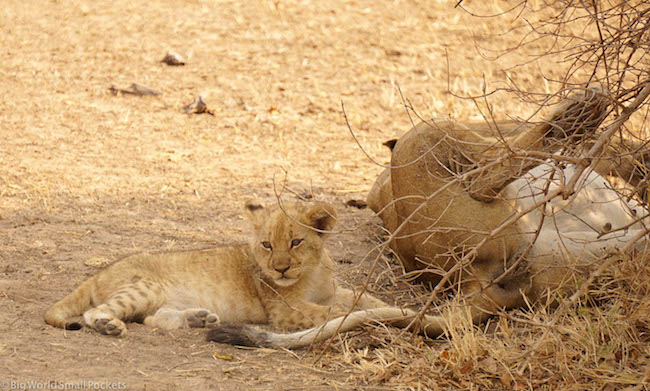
(170, 318)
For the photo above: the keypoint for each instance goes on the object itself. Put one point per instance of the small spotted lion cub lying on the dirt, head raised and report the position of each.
(283, 277)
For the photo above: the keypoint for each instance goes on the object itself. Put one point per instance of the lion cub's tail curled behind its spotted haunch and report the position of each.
(66, 312)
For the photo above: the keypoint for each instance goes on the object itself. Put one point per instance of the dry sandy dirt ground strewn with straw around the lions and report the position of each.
(88, 177)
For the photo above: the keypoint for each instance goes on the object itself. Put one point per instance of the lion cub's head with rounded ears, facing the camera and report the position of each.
(288, 239)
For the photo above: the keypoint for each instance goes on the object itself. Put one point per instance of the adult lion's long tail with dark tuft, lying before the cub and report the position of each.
(245, 335)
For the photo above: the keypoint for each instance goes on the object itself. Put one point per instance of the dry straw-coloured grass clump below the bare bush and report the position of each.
(600, 344)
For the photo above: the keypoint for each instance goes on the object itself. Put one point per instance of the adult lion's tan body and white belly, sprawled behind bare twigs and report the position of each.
(444, 205)
